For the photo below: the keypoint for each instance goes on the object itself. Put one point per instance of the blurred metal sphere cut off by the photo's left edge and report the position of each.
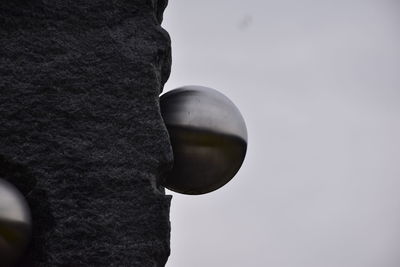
(15, 224)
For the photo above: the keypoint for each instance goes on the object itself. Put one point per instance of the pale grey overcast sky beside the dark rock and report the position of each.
(318, 83)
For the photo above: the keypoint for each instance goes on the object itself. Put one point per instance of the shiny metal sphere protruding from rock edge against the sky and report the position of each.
(208, 137)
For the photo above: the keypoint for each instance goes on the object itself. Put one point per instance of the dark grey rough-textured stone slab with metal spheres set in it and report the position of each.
(80, 129)
